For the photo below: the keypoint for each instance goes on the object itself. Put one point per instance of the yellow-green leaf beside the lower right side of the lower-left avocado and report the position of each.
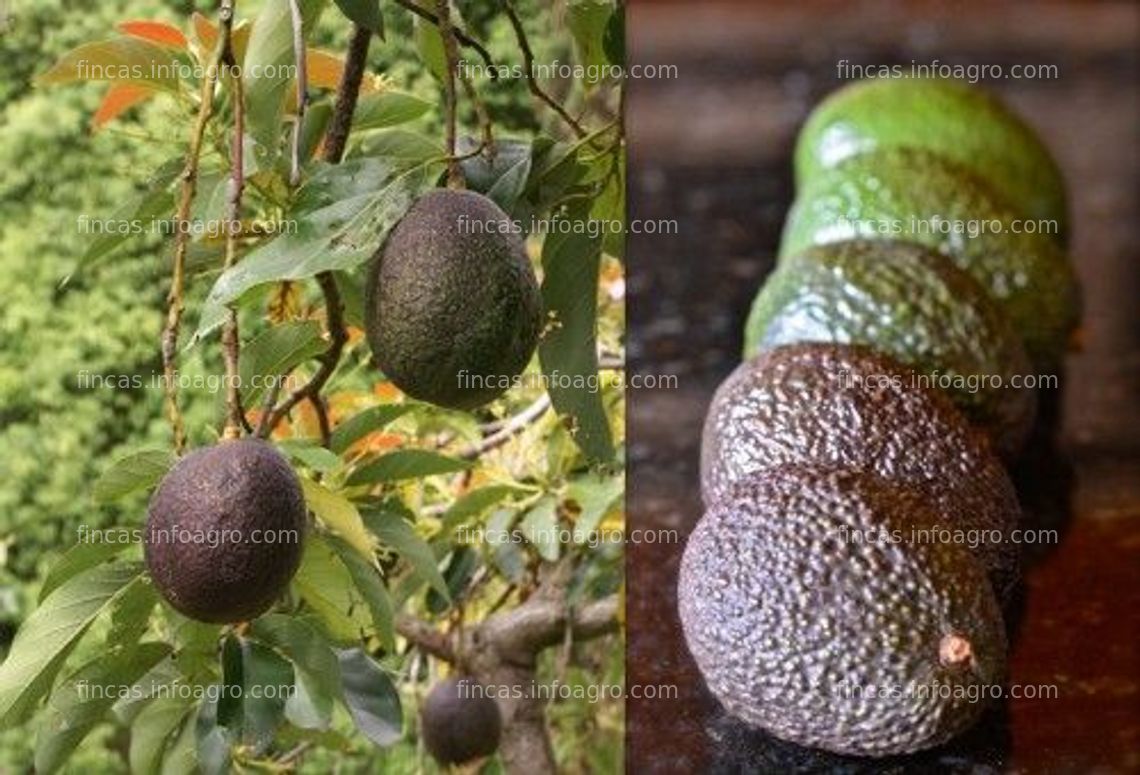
(324, 583)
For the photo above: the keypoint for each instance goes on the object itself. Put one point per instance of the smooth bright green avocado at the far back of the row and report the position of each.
(952, 119)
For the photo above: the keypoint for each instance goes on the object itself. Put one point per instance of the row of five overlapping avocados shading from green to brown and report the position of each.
(829, 594)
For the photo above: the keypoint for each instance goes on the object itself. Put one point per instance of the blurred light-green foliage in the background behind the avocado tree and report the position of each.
(56, 435)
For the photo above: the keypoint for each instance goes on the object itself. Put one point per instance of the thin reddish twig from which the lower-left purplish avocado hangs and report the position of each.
(235, 419)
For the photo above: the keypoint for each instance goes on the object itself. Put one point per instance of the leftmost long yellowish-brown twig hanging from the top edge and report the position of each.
(175, 300)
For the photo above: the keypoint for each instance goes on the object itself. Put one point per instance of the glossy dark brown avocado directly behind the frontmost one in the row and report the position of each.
(851, 407)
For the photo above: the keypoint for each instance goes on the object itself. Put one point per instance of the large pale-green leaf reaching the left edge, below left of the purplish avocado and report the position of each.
(52, 631)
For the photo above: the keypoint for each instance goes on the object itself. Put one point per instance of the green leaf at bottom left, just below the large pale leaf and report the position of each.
(85, 698)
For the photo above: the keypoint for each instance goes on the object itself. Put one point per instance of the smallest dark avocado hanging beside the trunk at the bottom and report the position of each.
(460, 723)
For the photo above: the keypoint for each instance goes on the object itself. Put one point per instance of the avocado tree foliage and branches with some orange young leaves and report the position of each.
(439, 541)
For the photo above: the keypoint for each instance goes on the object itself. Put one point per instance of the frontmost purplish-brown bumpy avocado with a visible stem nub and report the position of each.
(793, 619)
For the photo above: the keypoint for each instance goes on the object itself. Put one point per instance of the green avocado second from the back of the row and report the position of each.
(899, 194)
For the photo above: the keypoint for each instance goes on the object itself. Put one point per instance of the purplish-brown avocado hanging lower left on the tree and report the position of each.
(222, 495)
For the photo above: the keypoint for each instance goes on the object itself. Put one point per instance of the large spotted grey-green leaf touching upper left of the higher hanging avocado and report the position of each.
(340, 236)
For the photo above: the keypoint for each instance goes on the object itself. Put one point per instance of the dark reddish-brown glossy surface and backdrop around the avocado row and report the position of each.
(712, 150)
